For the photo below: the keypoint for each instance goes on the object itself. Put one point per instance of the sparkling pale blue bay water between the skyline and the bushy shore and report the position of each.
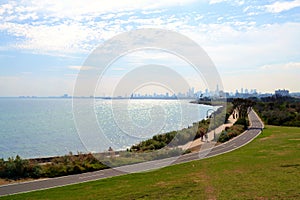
(35, 128)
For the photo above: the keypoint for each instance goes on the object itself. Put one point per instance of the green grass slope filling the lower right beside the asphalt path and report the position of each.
(267, 168)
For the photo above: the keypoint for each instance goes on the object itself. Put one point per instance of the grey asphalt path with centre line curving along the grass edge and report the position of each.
(208, 150)
